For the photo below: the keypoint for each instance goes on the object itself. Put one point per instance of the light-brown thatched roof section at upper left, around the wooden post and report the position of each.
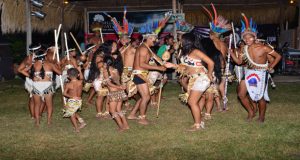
(13, 17)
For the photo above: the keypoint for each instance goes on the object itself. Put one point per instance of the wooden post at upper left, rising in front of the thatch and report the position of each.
(28, 26)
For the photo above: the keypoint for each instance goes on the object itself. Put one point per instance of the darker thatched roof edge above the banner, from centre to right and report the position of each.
(263, 12)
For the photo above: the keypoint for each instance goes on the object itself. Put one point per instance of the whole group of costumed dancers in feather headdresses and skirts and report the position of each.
(129, 69)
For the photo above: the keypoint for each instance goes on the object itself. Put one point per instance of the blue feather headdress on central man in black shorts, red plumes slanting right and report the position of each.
(154, 28)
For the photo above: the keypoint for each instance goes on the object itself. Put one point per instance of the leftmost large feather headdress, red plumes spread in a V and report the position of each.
(127, 28)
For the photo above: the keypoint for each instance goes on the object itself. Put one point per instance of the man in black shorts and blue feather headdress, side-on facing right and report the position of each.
(141, 68)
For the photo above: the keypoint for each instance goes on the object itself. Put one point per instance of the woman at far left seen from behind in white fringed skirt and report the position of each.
(41, 72)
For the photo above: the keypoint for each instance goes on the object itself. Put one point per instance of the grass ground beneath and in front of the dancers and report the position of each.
(227, 135)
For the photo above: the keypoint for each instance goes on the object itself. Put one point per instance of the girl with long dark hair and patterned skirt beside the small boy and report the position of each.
(116, 95)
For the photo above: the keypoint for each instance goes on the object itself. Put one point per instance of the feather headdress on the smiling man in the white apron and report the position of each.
(248, 27)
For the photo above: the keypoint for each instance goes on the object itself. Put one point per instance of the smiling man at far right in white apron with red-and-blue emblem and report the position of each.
(255, 55)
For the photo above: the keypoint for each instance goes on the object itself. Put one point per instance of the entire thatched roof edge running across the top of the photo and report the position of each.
(263, 12)
